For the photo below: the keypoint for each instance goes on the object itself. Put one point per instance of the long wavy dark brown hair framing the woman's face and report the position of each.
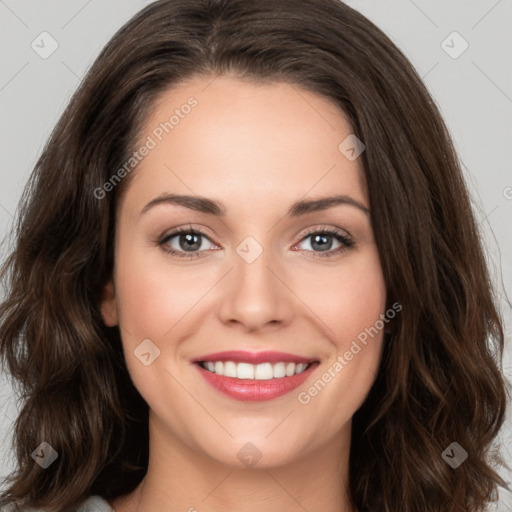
(439, 379)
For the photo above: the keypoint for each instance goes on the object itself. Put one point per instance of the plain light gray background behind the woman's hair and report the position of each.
(473, 92)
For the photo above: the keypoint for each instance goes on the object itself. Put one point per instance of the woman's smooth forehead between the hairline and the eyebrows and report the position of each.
(225, 137)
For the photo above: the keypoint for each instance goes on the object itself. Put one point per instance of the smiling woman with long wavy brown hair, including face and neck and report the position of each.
(266, 369)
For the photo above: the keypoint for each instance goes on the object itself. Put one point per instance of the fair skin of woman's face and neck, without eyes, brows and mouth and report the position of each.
(256, 149)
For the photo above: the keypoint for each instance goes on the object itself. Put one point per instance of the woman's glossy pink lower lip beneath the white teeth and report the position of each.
(255, 390)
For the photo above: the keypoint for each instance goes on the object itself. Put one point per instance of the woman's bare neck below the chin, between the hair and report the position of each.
(181, 478)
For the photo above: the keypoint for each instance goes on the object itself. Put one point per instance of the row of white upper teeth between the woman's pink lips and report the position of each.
(263, 371)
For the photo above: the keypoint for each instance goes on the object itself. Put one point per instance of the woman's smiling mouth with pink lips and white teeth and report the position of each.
(290, 371)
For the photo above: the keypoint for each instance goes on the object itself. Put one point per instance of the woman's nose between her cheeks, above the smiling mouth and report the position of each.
(255, 295)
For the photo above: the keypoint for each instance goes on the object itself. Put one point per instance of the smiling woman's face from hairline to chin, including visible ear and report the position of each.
(262, 276)
